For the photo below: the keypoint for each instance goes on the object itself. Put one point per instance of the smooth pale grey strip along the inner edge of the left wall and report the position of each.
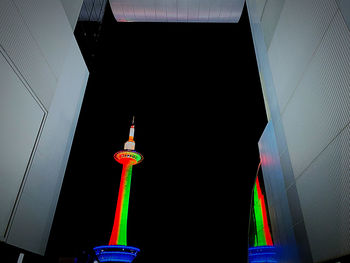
(33, 217)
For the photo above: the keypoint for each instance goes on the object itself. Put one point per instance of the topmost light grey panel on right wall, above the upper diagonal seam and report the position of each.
(301, 27)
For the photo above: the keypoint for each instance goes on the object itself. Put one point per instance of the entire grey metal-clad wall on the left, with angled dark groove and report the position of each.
(42, 82)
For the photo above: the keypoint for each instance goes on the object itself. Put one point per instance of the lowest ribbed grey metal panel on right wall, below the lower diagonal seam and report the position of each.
(324, 191)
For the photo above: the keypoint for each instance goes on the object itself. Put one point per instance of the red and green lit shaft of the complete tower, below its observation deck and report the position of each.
(118, 236)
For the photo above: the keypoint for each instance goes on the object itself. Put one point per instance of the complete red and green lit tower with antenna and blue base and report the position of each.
(117, 250)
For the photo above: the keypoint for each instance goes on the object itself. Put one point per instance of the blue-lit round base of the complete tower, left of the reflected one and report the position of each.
(116, 253)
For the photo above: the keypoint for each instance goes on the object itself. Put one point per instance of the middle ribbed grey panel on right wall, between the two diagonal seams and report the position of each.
(320, 106)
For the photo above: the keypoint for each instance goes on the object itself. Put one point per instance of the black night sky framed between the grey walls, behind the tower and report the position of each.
(195, 92)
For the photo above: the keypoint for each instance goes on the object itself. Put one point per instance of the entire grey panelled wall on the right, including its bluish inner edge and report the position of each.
(303, 54)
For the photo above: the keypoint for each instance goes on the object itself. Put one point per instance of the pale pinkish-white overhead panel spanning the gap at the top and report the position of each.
(202, 11)
